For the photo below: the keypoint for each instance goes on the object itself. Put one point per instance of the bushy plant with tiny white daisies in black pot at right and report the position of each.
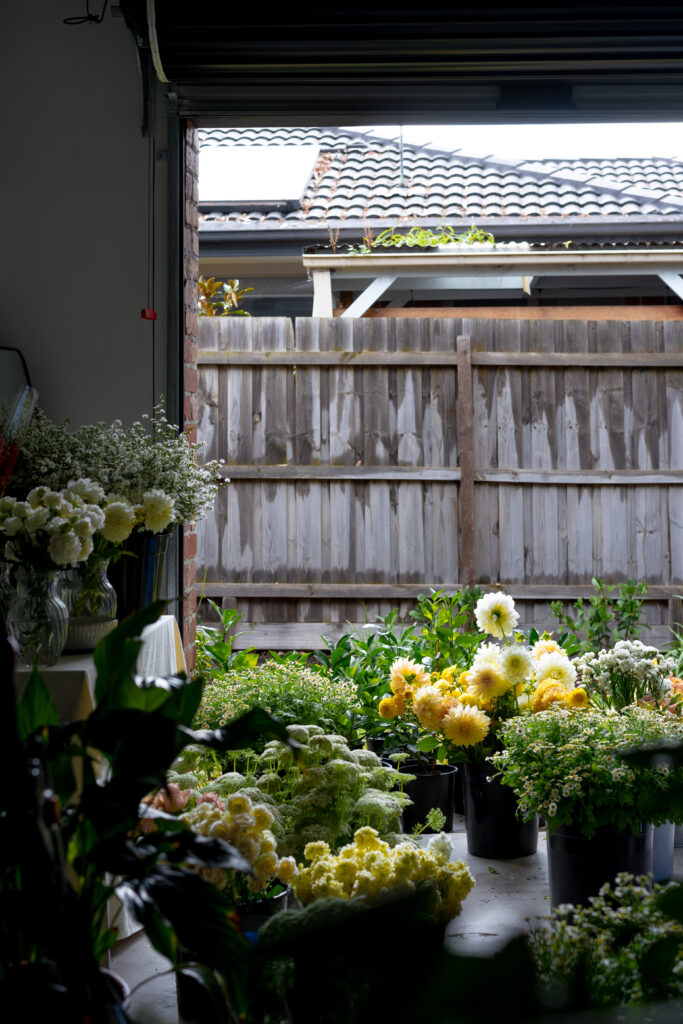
(567, 765)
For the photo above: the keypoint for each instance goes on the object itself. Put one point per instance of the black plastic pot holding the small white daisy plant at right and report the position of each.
(579, 867)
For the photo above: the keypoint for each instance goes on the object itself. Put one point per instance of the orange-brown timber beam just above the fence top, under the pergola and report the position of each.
(664, 313)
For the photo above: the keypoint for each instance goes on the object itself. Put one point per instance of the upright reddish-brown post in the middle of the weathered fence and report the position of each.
(465, 448)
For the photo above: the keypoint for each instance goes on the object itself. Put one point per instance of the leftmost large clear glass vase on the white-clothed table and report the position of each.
(37, 618)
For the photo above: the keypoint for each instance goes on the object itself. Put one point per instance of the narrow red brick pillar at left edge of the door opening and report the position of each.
(191, 275)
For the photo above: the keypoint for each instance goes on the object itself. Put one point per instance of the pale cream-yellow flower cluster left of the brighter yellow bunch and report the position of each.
(247, 828)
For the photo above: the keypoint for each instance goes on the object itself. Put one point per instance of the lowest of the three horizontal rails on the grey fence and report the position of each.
(405, 591)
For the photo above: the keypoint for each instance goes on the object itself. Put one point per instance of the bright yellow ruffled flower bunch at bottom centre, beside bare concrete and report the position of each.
(372, 869)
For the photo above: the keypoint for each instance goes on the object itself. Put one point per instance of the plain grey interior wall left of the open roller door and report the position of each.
(74, 201)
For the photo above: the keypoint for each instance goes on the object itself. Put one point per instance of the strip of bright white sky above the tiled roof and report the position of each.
(548, 142)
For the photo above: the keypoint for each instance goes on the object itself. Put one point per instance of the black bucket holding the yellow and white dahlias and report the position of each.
(491, 818)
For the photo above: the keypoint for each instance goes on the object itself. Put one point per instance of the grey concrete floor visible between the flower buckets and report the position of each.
(508, 897)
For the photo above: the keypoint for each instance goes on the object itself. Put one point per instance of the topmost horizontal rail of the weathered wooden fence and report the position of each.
(658, 361)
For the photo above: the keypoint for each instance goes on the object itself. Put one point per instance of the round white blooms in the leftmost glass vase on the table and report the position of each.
(50, 530)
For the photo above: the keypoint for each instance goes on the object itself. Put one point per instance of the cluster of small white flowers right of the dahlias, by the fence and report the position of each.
(628, 673)
